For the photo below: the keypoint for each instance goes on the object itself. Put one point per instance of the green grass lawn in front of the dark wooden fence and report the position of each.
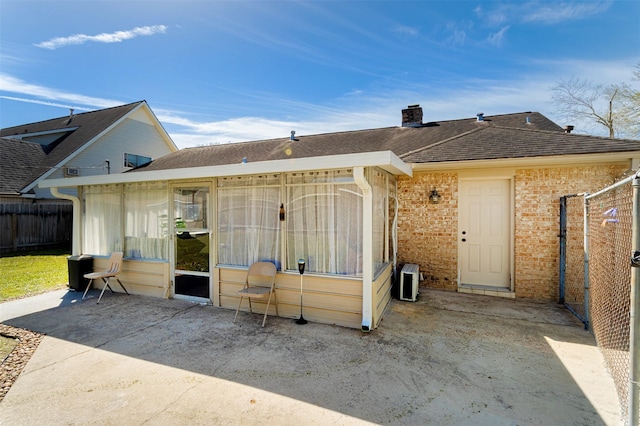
(30, 273)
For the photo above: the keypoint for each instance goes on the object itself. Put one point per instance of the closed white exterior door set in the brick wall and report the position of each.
(484, 232)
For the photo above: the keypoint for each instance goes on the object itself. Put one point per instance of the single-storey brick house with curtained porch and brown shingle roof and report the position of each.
(472, 202)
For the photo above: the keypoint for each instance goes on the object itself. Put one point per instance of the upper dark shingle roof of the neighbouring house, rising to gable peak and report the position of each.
(82, 128)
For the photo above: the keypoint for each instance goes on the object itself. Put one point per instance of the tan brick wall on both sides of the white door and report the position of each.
(427, 233)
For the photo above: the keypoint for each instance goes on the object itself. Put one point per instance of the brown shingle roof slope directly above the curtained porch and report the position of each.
(399, 140)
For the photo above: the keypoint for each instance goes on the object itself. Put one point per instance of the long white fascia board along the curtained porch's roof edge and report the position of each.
(386, 160)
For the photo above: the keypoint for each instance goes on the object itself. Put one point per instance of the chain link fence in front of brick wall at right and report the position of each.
(600, 293)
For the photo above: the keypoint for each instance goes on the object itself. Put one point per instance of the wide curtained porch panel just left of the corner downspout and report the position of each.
(324, 222)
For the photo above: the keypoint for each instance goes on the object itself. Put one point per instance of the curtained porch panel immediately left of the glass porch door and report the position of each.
(146, 216)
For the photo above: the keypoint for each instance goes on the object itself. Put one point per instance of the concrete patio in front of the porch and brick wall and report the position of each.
(448, 359)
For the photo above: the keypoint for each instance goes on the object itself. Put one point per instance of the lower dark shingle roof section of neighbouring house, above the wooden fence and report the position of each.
(19, 159)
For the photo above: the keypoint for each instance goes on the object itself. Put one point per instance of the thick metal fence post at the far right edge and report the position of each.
(634, 320)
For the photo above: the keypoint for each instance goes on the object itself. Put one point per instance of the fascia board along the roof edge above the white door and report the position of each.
(546, 161)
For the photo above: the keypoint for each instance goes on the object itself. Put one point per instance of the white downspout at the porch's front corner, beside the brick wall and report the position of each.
(367, 248)
